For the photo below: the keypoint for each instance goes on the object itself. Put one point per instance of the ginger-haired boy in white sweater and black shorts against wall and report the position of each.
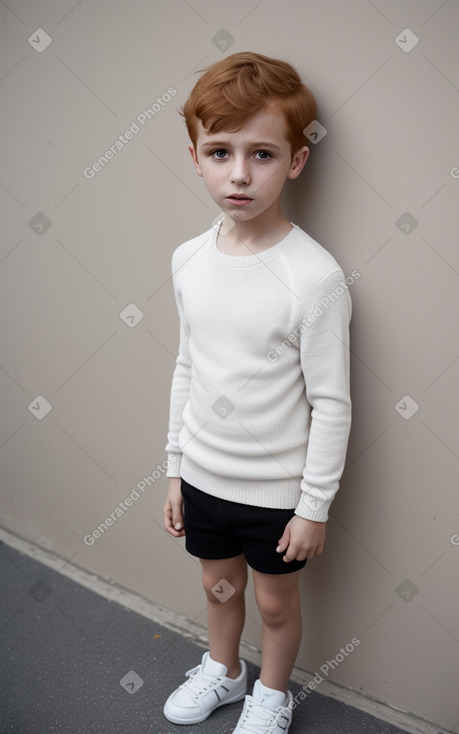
(260, 406)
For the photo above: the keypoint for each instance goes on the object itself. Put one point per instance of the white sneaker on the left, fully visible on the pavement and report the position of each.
(206, 689)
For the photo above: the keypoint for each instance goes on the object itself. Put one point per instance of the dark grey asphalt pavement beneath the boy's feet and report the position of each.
(74, 662)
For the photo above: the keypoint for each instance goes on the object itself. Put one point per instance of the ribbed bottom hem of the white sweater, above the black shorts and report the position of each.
(280, 494)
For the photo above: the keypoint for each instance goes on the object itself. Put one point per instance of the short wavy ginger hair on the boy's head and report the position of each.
(239, 85)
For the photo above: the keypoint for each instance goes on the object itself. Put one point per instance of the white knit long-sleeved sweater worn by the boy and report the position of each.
(260, 410)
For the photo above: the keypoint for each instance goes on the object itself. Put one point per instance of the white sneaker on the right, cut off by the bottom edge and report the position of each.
(260, 718)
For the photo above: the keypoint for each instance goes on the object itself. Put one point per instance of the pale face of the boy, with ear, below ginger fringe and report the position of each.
(255, 162)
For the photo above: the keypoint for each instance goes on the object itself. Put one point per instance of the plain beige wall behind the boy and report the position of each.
(389, 572)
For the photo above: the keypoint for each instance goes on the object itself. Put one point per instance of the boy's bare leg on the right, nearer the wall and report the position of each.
(278, 600)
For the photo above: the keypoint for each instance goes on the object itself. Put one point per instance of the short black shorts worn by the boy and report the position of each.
(217, 529)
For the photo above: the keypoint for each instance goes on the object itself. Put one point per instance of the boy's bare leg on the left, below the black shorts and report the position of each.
(225, 618)
